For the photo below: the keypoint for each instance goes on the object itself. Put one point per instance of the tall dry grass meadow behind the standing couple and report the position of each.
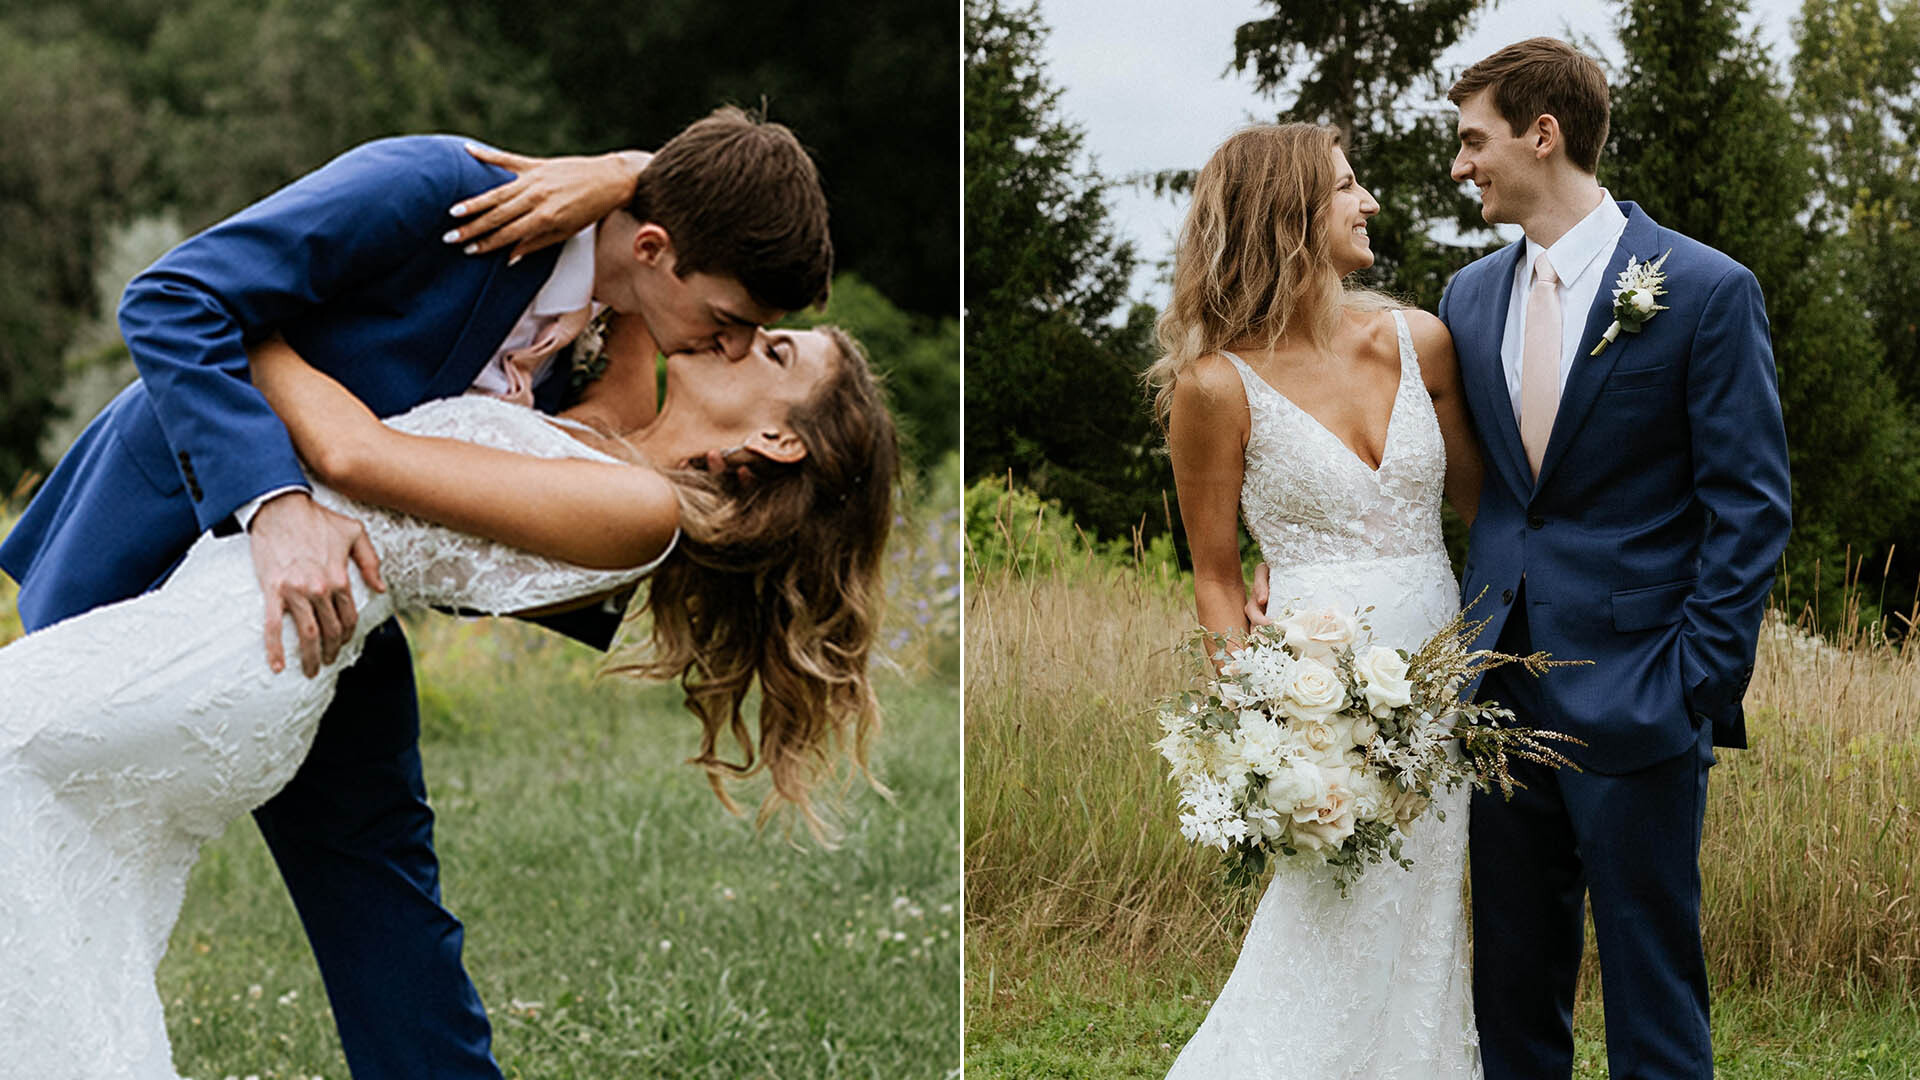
(1097, 937)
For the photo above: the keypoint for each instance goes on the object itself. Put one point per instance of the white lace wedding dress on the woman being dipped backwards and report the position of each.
(137, 731)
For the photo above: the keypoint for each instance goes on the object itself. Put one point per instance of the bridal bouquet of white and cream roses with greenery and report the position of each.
(1310, 741)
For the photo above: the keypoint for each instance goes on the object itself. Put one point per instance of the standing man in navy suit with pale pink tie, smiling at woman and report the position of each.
(1633, 512)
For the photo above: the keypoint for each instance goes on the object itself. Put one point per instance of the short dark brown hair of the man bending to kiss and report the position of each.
(740, 197)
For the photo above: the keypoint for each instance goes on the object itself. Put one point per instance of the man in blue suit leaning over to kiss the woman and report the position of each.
(727, 230)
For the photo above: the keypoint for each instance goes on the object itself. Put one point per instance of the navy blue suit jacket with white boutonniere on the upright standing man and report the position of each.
(1650, 539)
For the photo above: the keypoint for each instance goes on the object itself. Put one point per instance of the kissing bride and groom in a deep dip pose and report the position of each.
(343, 414)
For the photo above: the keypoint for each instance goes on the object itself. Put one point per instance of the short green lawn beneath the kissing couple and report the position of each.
(619, 923)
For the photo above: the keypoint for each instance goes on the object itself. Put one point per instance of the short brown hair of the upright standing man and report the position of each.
(1545, 76)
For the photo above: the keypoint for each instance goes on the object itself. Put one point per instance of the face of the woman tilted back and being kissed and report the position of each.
(746, 401)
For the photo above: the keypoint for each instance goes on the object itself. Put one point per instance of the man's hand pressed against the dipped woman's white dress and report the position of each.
(302, 556)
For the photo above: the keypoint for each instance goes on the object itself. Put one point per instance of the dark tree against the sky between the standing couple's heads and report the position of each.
(1372, 70)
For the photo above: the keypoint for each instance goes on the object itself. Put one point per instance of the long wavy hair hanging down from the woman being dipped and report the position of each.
(779, 581)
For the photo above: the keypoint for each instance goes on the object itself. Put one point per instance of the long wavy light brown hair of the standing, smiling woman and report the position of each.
(1253, 258)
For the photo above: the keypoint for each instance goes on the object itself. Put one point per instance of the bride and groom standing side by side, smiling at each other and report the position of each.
(1598, 403)
